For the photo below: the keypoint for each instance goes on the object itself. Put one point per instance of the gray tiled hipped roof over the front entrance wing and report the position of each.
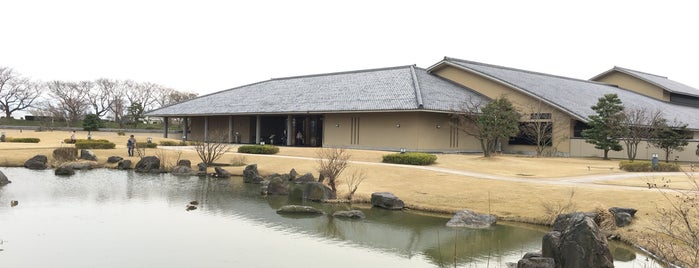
(387, 89)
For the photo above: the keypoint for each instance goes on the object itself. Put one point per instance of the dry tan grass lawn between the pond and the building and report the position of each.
(425, 189)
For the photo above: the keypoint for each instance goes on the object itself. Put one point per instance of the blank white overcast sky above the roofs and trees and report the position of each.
(207, 46)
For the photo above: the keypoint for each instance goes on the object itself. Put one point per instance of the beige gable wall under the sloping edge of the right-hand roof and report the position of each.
(525, 104)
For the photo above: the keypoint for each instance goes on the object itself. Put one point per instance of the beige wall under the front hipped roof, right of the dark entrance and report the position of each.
(417, 132)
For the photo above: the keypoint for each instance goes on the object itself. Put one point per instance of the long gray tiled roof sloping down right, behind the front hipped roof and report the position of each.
(575, 96)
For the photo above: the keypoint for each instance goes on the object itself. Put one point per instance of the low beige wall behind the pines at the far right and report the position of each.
(582, 149)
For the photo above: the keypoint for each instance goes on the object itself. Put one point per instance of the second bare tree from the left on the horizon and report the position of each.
(71, 99)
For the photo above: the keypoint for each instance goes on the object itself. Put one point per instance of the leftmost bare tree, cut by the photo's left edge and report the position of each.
(16, 93)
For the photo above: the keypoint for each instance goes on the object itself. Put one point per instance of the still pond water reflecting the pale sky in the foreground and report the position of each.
(111, 218)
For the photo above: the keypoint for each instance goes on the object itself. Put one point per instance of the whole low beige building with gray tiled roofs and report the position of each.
(407, 107)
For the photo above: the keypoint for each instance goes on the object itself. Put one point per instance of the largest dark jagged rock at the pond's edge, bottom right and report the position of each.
(576, 242)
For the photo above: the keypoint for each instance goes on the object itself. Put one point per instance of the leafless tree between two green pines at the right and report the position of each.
(637, 124)
